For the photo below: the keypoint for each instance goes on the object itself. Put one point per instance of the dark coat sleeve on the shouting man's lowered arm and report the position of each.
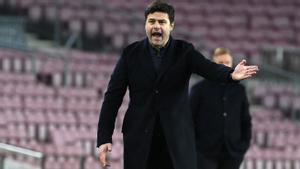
(113, 98)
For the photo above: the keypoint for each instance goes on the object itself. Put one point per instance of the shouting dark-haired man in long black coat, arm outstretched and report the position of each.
(158, 128)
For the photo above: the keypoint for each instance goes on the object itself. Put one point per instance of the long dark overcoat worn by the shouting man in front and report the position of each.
(164, 93)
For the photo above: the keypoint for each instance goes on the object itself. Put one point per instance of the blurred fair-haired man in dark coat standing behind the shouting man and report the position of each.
(222, 120)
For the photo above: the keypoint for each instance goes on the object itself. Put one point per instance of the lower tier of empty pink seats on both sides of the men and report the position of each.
(61, 121)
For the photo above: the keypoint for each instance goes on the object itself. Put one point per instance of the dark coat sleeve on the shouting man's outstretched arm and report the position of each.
(204, 67)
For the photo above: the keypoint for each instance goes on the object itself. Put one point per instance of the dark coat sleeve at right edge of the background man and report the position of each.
(246, 121)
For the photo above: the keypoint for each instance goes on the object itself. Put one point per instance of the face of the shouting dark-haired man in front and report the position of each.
(158, 28)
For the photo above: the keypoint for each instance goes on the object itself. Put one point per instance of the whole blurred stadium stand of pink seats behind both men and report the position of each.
(56, 58)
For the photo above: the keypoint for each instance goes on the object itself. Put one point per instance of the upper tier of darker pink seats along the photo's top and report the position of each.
(117, 23)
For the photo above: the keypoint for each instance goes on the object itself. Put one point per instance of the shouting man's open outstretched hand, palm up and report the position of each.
(241, 71)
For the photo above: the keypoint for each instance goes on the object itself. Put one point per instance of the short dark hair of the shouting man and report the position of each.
(160, 6)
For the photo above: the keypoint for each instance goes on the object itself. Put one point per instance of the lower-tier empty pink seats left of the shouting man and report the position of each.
(57, 120)
